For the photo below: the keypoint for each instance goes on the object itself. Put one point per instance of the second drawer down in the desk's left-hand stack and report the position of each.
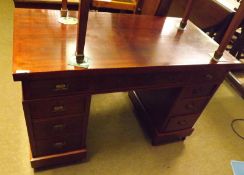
(60, 106)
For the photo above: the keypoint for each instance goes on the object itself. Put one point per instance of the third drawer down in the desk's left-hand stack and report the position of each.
(57, 127)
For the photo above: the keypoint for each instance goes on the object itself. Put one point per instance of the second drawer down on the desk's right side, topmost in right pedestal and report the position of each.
(198, 91)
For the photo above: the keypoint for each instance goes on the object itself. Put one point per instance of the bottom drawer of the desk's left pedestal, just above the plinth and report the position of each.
(58, 145)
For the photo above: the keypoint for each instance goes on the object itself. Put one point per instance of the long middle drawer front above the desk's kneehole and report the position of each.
(106, 83)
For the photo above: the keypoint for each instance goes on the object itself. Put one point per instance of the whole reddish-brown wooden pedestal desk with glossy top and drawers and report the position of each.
(167, 72)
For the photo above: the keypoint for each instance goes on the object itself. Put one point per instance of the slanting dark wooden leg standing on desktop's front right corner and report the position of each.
(237, 19)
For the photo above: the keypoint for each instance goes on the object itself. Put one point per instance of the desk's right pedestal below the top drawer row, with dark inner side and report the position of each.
(169, 114)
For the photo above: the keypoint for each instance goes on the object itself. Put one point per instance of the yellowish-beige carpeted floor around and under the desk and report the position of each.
(116, 143)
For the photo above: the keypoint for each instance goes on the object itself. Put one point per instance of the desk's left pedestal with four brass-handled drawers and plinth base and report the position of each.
(56, 113)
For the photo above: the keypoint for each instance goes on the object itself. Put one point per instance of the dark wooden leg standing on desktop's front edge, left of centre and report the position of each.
(81, 30)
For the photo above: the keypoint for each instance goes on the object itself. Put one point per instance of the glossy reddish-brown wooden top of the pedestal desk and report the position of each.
(113, 42)
